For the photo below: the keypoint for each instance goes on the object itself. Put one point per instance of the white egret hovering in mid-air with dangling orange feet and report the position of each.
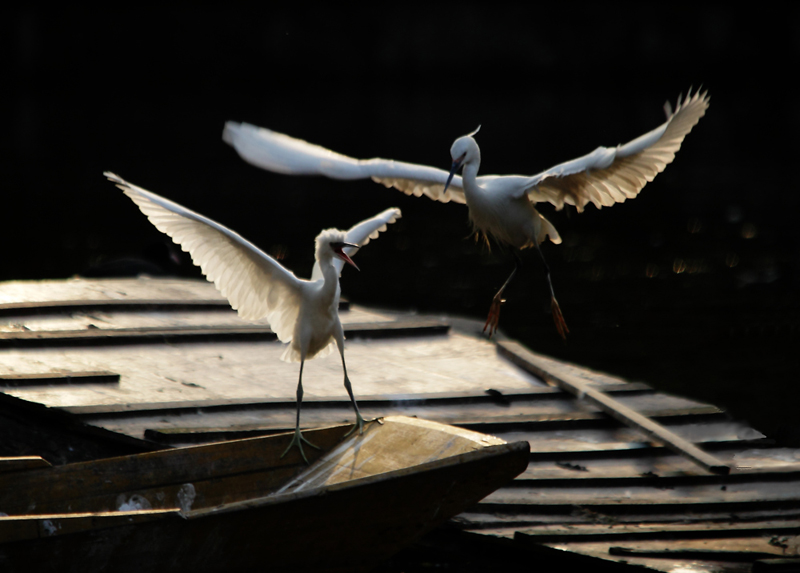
(500, 206)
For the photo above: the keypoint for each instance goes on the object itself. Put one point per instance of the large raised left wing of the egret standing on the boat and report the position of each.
(253, 282)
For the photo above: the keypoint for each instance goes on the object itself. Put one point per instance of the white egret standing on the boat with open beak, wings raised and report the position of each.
(304, 313)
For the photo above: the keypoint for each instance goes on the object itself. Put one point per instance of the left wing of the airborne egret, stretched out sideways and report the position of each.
(281, 153)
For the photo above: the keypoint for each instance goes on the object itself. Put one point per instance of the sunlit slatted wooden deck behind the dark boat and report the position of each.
(618, 472)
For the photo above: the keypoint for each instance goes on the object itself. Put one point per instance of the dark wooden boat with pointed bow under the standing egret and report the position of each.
(239, 506)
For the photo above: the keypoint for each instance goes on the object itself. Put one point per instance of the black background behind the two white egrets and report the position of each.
(690, 287)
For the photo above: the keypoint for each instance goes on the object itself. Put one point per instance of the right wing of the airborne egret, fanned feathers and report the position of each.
(612, 175)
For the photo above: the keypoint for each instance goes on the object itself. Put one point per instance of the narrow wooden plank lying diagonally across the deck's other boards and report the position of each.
(538, 365)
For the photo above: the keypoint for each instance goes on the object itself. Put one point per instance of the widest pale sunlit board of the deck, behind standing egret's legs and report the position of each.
(203, 371)
